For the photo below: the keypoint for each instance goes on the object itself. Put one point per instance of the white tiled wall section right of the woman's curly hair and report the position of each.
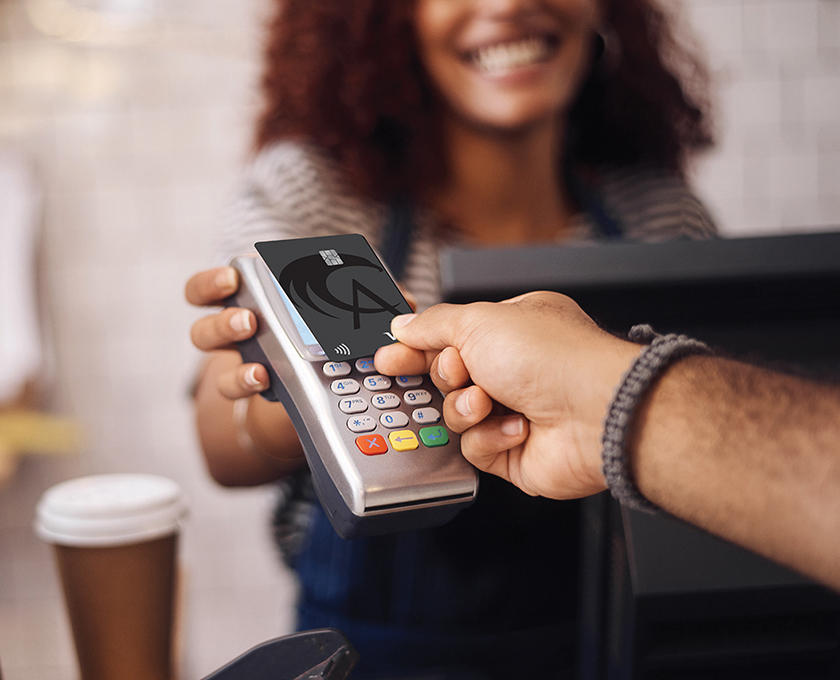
(776, 65)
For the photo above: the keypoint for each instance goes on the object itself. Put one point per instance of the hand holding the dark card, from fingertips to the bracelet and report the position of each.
(527, 381)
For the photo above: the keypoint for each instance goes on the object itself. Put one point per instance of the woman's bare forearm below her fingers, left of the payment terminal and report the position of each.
(276, 451)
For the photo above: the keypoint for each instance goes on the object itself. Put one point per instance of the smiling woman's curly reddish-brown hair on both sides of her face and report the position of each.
(346, 75)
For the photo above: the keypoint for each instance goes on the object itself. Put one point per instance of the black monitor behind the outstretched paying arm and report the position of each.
(661, 599)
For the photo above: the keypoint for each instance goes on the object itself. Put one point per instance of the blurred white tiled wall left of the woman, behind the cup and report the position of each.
(136, 143)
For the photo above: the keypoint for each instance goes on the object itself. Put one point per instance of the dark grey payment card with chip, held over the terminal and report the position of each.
(341, 290)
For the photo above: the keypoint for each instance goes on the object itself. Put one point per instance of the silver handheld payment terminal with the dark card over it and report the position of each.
(381, 458)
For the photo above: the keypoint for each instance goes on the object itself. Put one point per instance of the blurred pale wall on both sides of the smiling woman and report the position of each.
(133, 118)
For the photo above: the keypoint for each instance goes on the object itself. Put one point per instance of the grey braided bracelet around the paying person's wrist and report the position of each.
(662, 350)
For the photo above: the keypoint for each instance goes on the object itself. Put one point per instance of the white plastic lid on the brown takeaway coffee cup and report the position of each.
(109, 510)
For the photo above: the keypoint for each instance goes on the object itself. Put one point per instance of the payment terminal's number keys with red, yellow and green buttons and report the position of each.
(388, 414)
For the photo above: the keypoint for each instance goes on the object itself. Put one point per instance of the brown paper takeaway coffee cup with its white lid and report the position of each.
(115, 539)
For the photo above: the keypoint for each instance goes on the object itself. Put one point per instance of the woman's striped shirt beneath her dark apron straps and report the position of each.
(292, 190)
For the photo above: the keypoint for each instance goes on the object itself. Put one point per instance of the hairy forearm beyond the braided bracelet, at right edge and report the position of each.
(747, 454)
